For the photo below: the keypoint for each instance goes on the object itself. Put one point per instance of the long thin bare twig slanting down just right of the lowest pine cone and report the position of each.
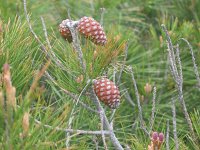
(138, 103)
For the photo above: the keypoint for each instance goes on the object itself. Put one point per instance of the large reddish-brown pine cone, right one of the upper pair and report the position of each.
(91, 29)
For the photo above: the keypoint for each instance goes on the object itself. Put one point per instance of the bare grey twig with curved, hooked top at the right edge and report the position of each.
(194, 61)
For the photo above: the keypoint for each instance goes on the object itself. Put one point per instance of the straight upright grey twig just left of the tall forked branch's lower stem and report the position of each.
(174, 124)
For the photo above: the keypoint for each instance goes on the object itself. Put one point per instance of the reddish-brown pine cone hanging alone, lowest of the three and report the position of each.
(107, 92)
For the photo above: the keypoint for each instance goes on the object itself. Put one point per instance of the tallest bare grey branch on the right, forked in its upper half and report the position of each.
(177, 78)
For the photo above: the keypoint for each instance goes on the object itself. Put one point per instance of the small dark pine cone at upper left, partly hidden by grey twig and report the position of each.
(64, 30)
